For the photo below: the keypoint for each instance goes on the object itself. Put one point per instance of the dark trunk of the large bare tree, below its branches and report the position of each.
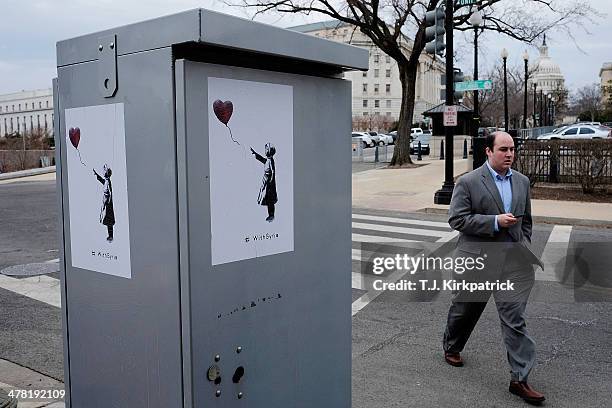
(401, 153)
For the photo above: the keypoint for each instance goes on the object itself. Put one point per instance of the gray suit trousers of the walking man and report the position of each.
(466, 309)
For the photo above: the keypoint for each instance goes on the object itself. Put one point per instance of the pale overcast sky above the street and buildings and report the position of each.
(30, 29)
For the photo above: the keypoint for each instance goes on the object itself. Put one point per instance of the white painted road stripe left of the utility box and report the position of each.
(42, 288)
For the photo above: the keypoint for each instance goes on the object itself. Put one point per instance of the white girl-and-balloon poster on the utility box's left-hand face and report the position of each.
(97, 189)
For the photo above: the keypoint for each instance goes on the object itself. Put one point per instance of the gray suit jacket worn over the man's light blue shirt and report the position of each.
(476, 202)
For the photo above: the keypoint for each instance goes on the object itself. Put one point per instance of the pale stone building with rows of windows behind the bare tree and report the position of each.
(377, 93)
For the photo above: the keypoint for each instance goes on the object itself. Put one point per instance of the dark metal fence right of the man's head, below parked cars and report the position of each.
(585, 162)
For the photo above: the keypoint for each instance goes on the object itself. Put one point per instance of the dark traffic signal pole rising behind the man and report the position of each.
(443, 196)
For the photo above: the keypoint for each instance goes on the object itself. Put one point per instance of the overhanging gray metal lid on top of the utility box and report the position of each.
(200, 26)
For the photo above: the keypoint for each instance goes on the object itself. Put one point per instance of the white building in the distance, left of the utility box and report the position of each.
(26, 111)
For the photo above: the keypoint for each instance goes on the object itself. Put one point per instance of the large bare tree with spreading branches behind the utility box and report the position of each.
(388, 22)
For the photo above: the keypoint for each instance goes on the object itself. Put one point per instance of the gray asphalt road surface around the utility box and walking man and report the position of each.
(397, 358)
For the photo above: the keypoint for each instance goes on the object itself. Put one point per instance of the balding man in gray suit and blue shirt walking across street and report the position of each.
(491, 209)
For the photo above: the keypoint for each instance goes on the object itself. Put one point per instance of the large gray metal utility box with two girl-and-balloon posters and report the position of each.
(206, 215)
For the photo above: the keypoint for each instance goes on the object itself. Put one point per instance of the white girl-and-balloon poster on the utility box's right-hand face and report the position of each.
(250, 135)
